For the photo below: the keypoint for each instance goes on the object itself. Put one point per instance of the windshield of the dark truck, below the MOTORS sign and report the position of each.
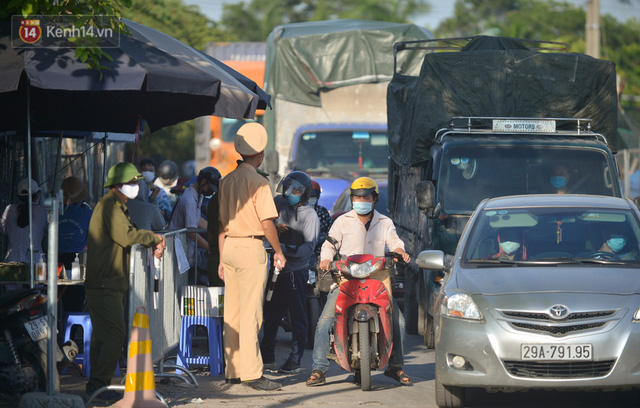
(472, 174)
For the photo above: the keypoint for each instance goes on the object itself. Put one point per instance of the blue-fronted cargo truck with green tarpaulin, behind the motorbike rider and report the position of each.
(328, 82)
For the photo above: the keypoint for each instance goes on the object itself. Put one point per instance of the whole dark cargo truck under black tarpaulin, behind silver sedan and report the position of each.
(487, 117)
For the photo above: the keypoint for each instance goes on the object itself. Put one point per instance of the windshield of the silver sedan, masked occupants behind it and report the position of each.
(556, 235)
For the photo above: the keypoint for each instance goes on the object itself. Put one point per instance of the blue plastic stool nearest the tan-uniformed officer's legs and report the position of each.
(214, 333)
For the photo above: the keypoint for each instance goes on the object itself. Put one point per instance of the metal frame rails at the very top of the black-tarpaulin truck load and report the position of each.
(458, 43)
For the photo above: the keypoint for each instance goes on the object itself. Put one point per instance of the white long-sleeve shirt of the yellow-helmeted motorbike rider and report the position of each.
(353, 238)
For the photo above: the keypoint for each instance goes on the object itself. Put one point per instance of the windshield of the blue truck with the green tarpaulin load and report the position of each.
(338, 151)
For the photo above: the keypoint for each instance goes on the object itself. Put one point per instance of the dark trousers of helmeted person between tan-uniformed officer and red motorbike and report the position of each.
(290, 292)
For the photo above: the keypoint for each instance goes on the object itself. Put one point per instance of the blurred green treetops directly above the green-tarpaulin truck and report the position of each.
(254, 21)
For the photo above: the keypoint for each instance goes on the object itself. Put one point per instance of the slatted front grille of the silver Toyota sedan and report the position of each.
(573, 323)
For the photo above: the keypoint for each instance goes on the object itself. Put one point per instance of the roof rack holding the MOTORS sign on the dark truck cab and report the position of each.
(482, 125)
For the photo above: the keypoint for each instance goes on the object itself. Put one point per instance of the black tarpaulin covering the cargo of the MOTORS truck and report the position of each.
(497, 77)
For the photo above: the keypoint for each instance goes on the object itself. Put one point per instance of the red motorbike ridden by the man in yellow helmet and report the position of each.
(363, 333)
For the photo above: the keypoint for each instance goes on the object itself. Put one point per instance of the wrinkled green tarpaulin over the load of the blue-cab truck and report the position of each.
(305, 59)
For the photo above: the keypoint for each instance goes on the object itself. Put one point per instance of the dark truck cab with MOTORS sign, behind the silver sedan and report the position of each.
(477, 158)
